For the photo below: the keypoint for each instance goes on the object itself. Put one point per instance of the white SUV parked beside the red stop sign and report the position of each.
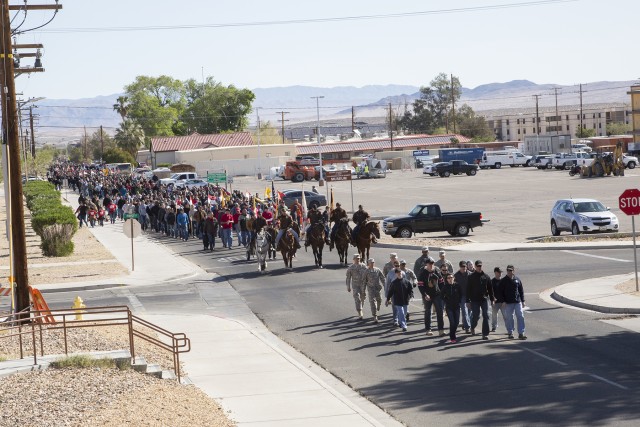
(581, 216)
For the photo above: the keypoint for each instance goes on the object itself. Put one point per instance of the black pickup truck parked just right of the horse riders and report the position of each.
(427, 218)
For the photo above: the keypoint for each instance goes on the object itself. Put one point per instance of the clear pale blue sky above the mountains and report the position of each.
(561, 42)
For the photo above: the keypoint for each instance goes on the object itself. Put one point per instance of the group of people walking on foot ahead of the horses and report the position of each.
(464, 295)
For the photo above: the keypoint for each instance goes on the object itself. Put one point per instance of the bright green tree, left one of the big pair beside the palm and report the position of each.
(156, 103)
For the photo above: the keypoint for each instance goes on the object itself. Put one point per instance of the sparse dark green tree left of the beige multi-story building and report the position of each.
(433, 108)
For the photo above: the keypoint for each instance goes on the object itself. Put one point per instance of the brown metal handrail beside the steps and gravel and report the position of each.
(99, 317)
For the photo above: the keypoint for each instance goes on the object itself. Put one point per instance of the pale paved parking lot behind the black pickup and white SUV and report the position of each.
(517, 201)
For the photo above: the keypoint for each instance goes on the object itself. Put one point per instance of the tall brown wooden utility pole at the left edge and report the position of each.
(10, 137)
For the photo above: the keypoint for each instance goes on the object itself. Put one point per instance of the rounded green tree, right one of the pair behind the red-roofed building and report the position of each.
(214, 108)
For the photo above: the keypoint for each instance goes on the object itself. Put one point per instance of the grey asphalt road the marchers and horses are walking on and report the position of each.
(573, 370)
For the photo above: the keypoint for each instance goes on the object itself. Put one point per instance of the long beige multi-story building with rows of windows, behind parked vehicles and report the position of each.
(515, 124)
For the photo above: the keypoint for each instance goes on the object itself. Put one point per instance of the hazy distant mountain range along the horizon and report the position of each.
(62, 120)
